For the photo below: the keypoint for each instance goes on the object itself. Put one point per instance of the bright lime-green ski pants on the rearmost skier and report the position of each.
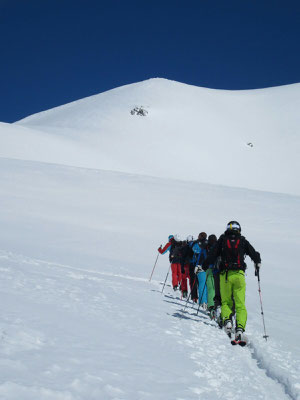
(233, 284)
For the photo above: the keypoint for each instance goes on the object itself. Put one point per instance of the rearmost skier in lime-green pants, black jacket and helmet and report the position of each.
(233, 248)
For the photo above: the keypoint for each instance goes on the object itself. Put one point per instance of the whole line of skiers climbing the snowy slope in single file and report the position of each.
(215, 269)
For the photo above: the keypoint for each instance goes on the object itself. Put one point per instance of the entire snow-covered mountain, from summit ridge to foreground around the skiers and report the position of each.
(79, 319)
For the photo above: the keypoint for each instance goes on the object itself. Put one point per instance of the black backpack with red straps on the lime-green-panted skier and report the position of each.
(233, 253)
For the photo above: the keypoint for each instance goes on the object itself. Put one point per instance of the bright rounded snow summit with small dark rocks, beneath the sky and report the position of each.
(189, 133)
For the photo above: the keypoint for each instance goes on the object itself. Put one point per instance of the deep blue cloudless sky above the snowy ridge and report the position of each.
(57, 51)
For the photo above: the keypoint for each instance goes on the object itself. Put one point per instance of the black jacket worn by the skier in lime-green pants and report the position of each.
(244, 249)
